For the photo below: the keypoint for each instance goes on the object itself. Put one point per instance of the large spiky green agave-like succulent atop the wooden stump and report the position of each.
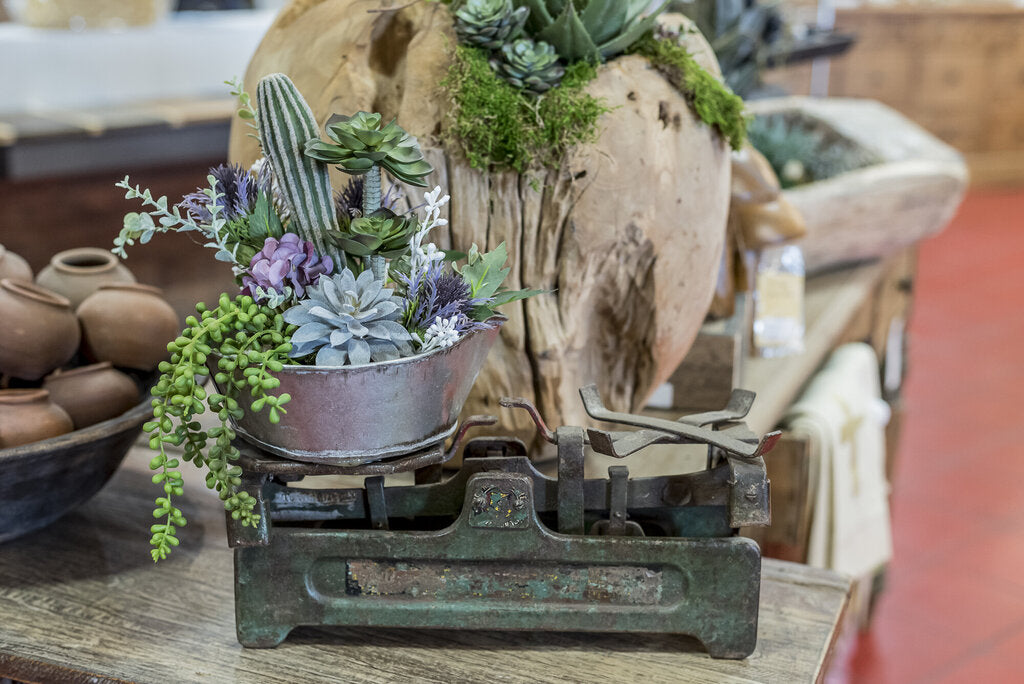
(591, 30)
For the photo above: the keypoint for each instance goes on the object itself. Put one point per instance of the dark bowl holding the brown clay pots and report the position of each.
(41, 482)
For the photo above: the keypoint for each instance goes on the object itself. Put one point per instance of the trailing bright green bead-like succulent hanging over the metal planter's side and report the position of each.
(251, 343)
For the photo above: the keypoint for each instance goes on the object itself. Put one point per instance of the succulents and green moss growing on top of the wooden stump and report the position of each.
(519, 78)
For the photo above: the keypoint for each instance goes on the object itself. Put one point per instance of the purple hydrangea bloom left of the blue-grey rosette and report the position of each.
(289, 263)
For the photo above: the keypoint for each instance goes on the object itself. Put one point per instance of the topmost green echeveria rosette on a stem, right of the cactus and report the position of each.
(361, 143)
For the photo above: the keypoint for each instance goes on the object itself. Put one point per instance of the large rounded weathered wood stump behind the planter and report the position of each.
(627, 235)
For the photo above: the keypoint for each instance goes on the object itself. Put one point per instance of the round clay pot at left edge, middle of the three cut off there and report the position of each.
(39, 331)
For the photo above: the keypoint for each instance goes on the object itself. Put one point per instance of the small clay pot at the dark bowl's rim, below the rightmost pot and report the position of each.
(93, 394)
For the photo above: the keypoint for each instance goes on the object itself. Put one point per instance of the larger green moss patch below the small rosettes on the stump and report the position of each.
(495, 124)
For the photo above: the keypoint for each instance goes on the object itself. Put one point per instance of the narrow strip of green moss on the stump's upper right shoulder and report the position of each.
(711, 101)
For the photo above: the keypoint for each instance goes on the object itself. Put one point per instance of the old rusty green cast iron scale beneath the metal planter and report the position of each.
(500, 546)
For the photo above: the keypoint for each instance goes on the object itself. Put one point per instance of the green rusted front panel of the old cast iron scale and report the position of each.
(705, 588)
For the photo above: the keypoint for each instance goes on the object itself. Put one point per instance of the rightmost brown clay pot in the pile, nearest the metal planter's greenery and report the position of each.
(129, 325)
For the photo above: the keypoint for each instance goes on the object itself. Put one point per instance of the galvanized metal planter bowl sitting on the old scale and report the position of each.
(354, 415)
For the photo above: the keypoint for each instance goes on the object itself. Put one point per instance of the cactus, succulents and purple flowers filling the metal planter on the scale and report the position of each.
(323, 282)
